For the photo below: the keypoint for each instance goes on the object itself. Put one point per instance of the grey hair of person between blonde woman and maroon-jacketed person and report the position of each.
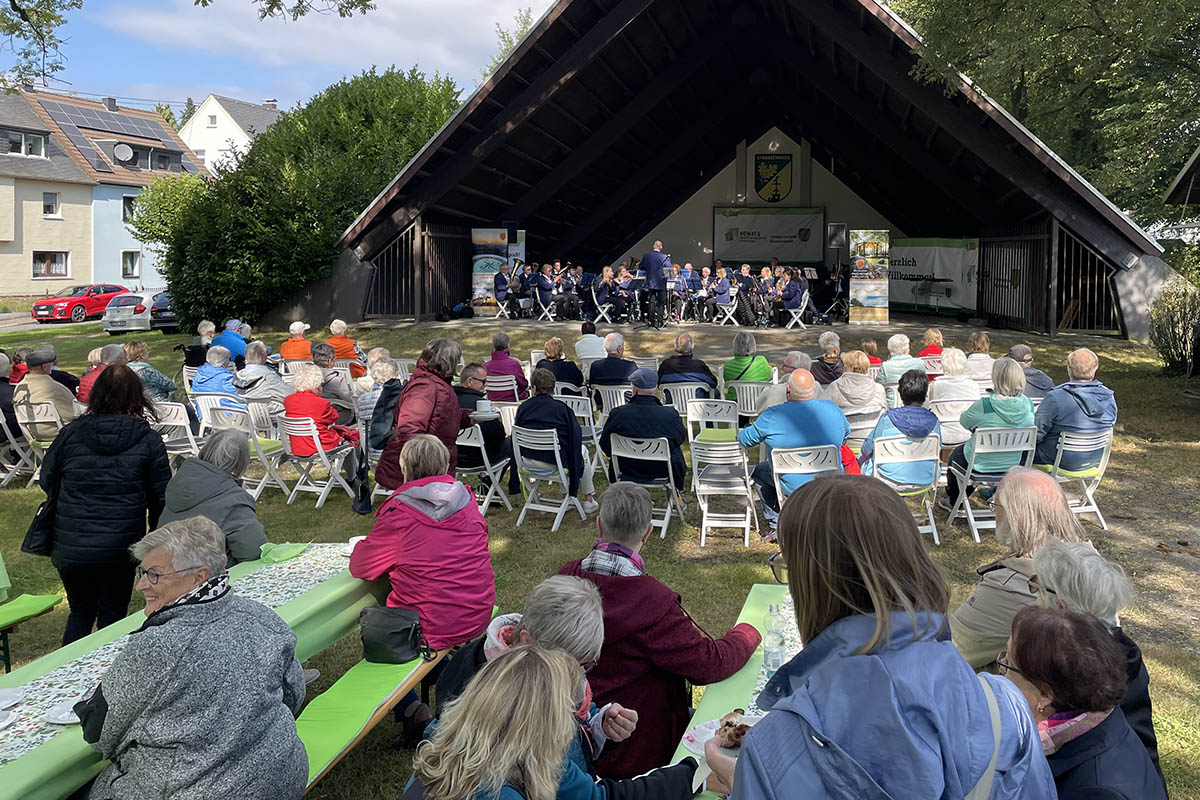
(566, 613)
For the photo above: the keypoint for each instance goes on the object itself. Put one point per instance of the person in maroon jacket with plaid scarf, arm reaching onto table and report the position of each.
(652, 648)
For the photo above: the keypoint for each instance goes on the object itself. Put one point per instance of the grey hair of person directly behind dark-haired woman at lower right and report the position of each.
(1084, 580)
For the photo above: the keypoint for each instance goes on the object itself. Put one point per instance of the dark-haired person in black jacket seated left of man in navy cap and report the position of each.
(543, 412)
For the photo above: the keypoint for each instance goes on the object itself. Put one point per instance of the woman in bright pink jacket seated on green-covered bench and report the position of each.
(431, 543)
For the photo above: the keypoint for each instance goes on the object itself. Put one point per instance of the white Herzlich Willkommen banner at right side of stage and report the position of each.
(938, 274)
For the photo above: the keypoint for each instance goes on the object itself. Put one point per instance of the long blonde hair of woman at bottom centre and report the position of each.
(513, 724)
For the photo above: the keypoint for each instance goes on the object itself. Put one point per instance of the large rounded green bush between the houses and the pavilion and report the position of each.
(271, 221)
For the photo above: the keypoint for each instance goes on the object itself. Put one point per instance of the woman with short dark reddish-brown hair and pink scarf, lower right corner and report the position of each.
(1073, 676)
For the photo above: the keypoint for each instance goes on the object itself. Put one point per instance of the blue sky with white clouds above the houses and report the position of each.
(172, 50)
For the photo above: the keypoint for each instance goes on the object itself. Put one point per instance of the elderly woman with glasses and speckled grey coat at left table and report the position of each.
(201, 702)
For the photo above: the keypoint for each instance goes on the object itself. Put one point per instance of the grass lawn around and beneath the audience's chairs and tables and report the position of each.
(1150, 500)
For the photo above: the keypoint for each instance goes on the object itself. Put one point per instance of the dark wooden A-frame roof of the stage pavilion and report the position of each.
(605, 118)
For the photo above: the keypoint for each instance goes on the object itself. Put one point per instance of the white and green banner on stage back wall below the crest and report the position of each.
(757, 234)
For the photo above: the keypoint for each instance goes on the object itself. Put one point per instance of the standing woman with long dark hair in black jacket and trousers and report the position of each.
(110, 472)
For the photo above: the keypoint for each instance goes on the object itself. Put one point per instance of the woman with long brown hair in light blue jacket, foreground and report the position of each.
(875, 671)
